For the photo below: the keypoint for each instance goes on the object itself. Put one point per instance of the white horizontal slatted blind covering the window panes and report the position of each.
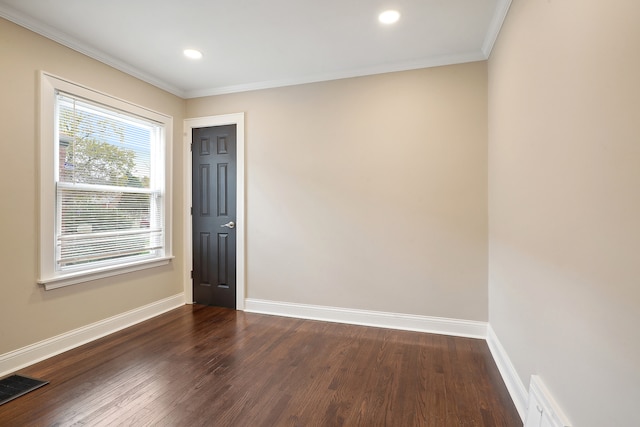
(109, 186)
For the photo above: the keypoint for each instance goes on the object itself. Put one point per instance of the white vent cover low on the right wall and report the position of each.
(543, 411)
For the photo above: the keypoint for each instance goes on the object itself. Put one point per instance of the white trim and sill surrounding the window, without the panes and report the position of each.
(48, 275)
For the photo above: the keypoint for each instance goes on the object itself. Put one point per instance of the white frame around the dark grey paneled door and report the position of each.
(202, 122)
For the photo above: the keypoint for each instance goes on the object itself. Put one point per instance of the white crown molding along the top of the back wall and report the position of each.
(435, 61)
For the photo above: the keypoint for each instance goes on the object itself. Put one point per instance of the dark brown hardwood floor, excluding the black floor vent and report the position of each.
(209, 366)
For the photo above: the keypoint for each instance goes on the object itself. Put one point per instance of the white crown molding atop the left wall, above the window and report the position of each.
(44, 30)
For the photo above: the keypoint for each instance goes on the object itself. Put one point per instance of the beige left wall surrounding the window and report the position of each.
(28, 314)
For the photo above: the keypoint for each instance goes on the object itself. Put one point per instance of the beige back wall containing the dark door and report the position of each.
(368, 193)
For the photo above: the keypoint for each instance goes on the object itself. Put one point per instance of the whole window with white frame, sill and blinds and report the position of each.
(104, 195)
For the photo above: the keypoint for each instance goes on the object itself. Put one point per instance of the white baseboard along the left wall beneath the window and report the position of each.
(25, 356)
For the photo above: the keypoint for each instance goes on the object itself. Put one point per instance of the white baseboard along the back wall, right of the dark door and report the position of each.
(407, 322)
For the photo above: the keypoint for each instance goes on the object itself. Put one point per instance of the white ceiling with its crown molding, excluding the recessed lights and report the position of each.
(254, 44)
